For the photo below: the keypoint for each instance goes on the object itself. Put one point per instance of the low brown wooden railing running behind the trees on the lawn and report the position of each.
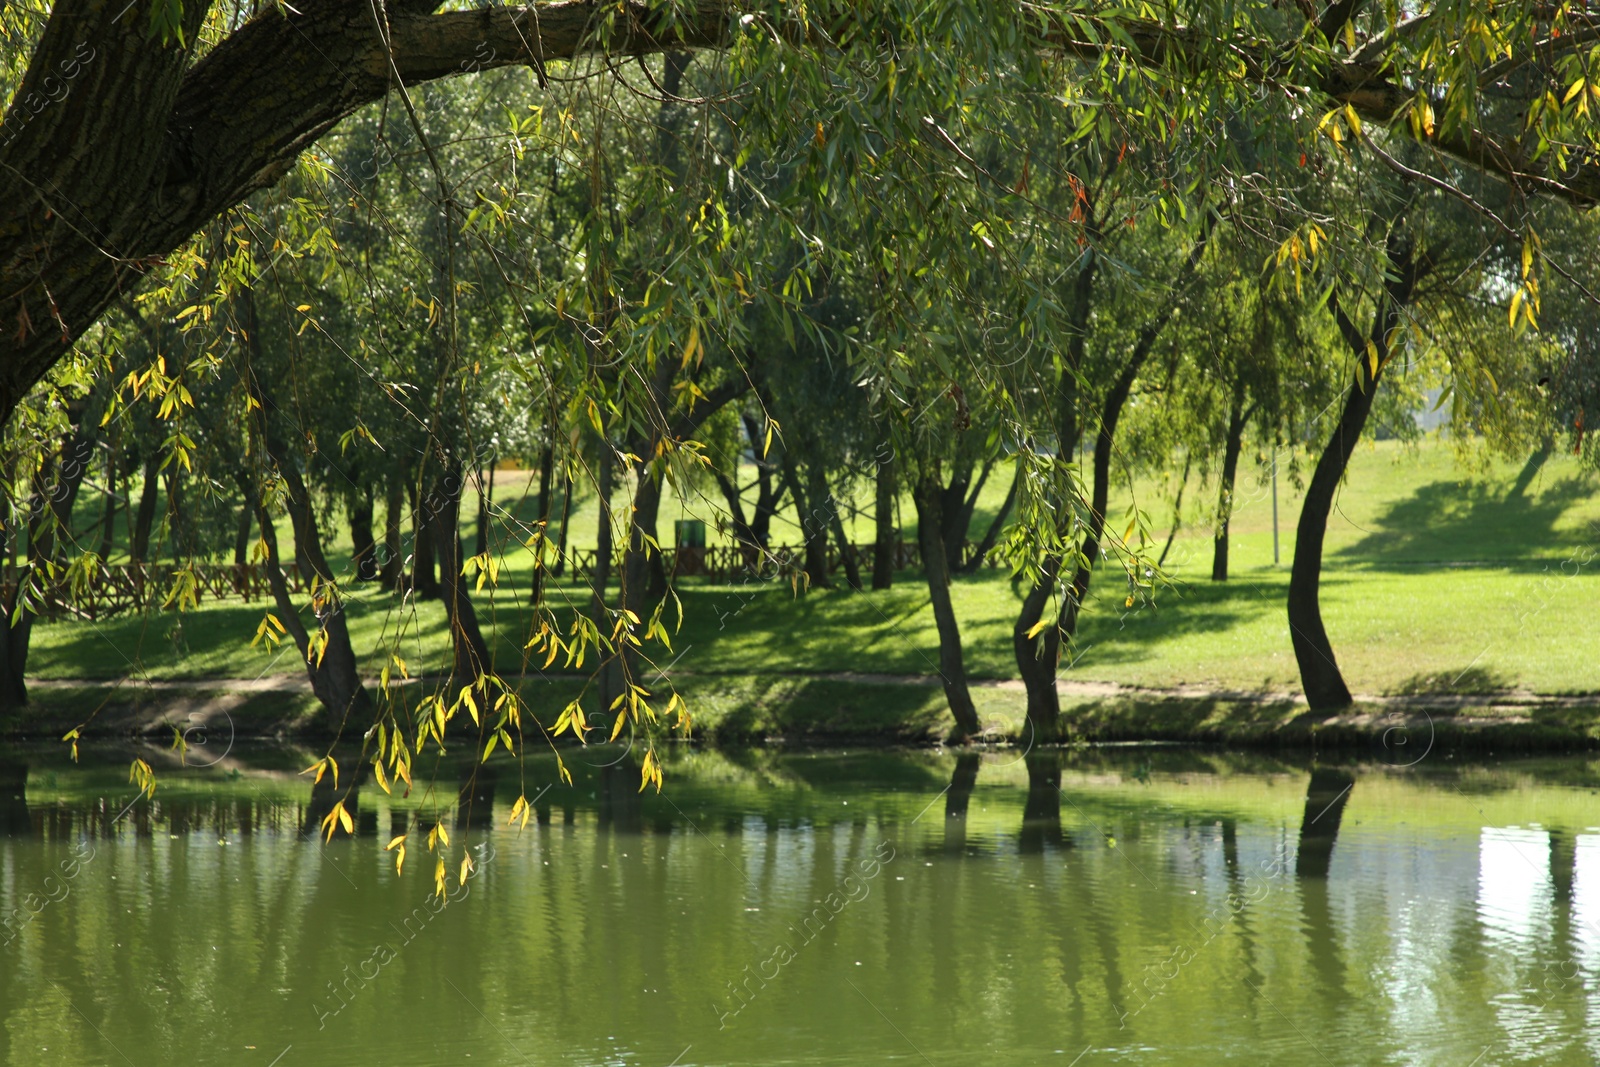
(138, 586)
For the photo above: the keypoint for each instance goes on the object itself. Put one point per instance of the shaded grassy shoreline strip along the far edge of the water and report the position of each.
(868, 709)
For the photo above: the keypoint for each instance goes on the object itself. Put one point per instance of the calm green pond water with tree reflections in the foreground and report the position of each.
(1159, 908)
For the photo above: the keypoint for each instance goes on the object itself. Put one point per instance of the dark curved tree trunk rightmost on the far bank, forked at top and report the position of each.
(1321, 676)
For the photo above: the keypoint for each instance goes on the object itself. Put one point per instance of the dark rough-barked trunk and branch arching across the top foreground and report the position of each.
(118, 150)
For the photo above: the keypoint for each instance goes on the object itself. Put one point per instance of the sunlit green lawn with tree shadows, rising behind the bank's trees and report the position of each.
(1436, 578)
